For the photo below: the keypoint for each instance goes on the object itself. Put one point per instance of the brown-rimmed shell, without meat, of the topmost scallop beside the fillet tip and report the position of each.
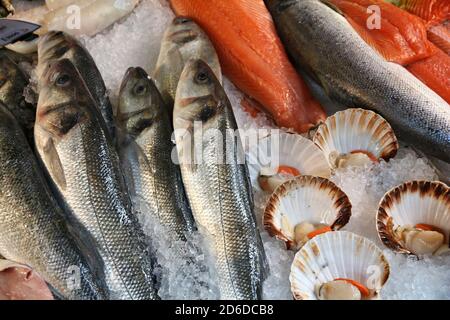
(356, 130)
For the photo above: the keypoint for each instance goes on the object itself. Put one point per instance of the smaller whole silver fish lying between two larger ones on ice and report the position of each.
(147, 153)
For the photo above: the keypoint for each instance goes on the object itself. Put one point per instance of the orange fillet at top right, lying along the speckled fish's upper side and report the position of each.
(400, 36)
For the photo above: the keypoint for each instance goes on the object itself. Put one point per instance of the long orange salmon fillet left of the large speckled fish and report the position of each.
(253, 57)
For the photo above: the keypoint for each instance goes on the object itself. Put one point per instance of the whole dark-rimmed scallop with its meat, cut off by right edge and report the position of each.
(414, 218)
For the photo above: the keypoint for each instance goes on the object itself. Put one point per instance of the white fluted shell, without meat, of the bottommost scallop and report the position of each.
(334, 255)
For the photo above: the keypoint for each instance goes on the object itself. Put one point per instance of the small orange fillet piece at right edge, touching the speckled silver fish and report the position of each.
(434, 72)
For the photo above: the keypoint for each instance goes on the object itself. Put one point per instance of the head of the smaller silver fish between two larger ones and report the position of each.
(140, 103)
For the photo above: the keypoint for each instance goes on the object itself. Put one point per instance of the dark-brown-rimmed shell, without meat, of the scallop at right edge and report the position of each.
(412, 203)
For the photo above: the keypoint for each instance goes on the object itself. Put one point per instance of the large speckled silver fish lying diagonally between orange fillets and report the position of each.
(322, 41)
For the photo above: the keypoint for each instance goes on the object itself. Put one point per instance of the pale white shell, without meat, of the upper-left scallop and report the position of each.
(290, 150)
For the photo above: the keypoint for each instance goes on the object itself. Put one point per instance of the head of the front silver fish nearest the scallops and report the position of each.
(199, 96)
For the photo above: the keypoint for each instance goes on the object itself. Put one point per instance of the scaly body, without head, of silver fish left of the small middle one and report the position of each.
(95, 195)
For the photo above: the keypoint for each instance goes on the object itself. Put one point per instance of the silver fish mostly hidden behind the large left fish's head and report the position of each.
(56, 45)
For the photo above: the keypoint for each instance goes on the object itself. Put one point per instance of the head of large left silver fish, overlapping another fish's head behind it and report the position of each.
(64, 101)
